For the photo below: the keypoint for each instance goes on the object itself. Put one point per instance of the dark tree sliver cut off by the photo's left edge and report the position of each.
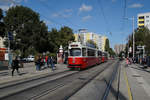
(2, 25)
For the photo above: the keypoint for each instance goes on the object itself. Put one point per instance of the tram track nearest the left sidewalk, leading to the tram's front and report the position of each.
(9, 90)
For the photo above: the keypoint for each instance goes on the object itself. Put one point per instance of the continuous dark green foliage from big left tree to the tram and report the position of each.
(31, 35)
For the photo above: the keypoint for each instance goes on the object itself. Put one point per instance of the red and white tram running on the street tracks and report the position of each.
(82, 56)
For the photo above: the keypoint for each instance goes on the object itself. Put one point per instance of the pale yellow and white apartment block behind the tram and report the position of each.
(83, 37)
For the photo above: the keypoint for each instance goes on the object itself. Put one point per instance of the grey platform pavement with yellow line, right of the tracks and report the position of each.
(134, 82)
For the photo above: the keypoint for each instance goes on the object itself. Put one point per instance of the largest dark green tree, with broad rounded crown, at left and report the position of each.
(28, 31)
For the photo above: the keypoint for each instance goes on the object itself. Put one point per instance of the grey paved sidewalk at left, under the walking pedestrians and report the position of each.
(28, 71)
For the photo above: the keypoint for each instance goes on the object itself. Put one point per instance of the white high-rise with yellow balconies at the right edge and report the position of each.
(144, 20)
